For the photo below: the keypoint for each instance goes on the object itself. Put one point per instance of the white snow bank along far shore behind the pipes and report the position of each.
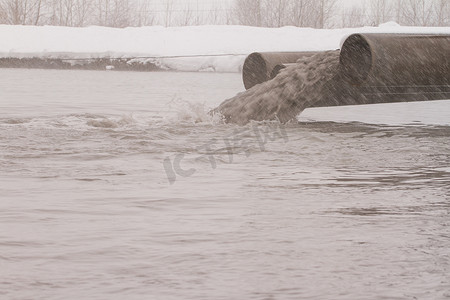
(146, 43)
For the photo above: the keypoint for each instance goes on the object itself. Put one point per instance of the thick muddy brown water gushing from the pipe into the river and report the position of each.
(287, 95)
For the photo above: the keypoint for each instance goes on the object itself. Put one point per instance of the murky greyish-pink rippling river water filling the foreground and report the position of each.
(118, 185)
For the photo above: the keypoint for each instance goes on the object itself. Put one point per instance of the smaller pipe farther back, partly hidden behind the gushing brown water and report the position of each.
(258, 66)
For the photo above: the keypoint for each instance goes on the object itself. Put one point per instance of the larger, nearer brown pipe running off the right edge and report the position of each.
(396, 59)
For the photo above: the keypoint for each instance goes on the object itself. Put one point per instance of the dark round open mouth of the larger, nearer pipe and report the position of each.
(356, 59)
